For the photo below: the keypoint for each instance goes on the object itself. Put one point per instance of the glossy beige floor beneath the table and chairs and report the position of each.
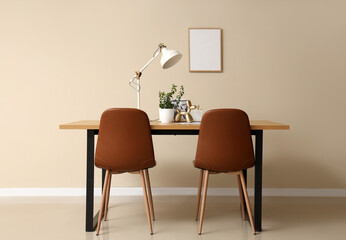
(63, 218)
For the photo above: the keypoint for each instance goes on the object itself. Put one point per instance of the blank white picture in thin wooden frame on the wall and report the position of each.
(205, 50)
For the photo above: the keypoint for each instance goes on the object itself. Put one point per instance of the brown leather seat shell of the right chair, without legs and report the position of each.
(224, 143)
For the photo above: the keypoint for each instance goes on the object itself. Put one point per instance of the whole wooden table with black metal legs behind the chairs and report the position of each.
(157, 128)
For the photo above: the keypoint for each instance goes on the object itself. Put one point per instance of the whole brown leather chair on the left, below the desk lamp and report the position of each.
(125, 145)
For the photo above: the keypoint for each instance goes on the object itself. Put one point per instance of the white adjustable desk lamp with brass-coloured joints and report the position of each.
(168, 59)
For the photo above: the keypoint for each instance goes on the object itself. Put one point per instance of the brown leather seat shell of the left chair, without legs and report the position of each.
(124, 142)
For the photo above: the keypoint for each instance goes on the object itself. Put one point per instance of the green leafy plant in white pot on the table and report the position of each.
(168, 103)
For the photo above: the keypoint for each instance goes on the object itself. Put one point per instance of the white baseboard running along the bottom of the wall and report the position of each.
(137, 191)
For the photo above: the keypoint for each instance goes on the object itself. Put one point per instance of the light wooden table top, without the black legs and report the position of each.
(156, 125)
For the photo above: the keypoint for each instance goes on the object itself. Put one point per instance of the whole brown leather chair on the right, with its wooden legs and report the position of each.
(224, 146)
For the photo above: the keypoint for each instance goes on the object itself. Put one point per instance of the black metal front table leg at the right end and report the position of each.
(258, 180)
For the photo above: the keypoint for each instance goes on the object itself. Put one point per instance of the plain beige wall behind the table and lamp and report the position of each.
(62, 61)
